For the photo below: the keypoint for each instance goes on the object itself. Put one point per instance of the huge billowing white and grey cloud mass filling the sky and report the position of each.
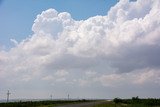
(120, 48)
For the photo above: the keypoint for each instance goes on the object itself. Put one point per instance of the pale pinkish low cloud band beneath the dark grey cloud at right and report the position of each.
(138, 77)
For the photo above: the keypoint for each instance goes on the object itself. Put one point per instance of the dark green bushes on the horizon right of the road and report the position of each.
(136, 100)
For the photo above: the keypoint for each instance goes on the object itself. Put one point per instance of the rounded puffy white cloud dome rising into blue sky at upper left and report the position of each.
(50, 22)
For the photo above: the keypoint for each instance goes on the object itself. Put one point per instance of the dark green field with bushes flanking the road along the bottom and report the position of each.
(117, 102)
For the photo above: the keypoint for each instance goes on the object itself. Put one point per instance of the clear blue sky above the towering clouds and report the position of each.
(17, 16)
